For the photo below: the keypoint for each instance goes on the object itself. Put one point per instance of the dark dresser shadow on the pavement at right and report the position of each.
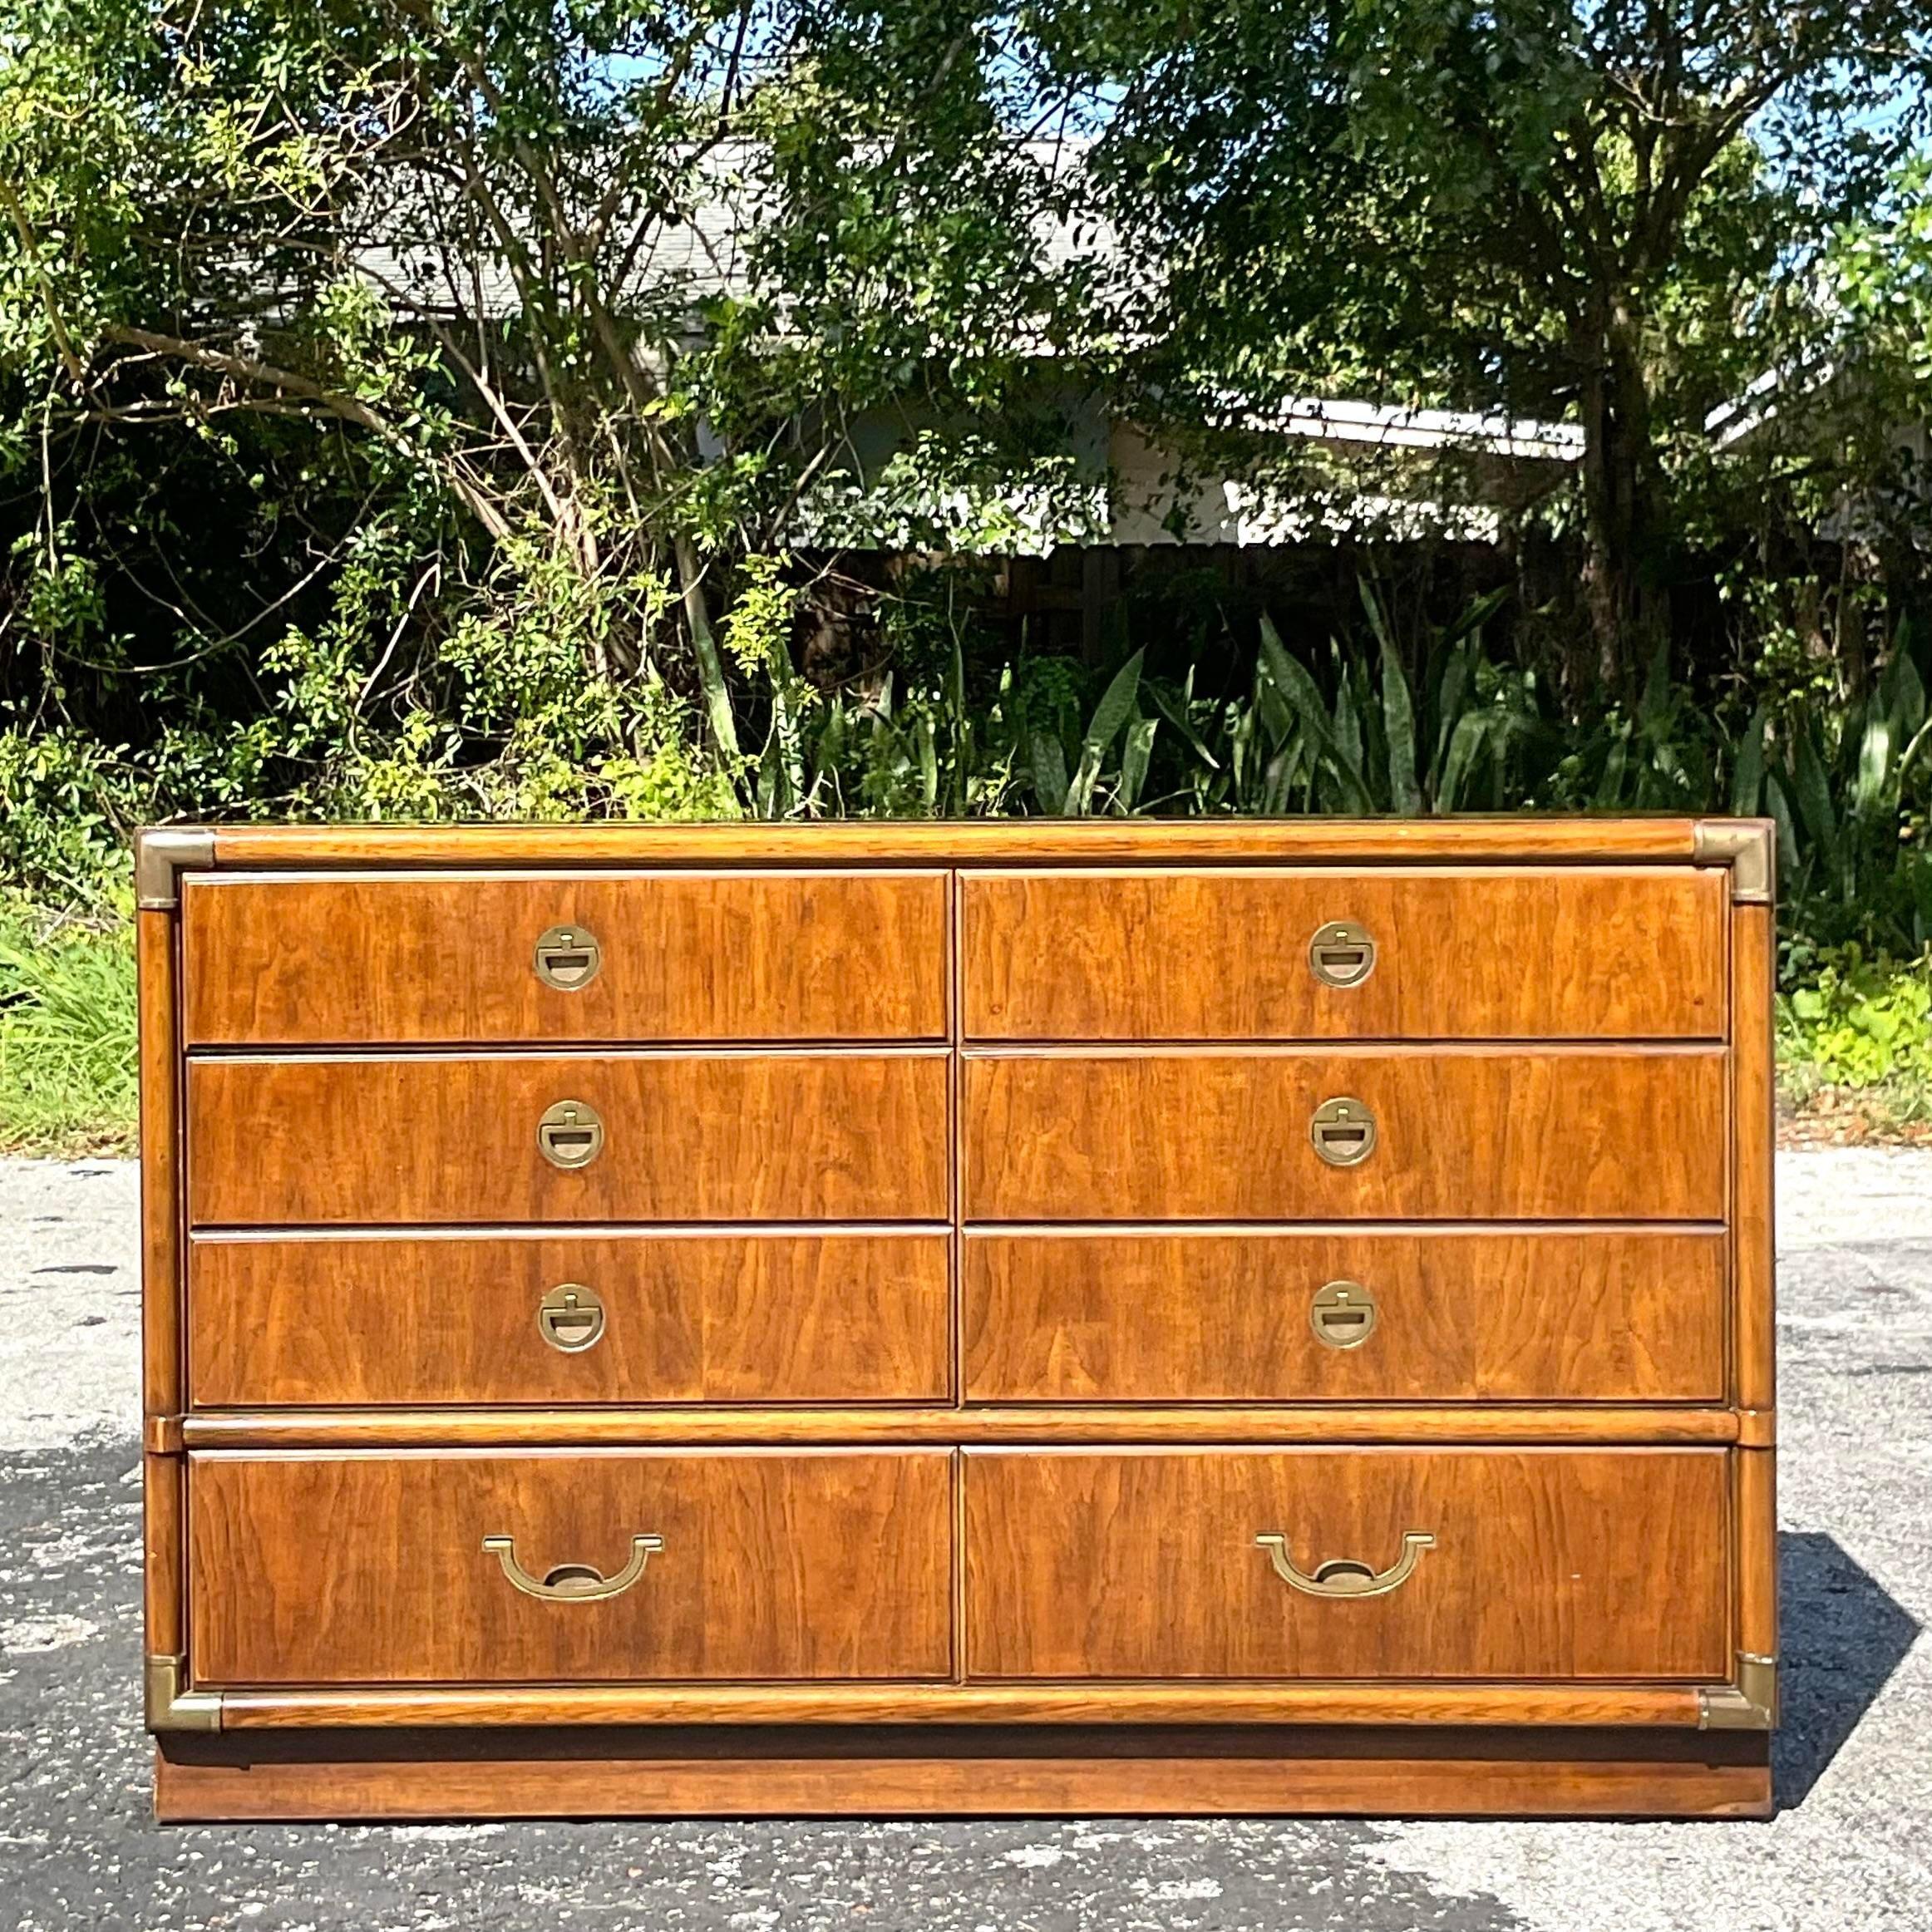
(1842, 1639)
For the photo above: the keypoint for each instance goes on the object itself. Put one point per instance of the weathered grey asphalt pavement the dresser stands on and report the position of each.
(1852, 1846)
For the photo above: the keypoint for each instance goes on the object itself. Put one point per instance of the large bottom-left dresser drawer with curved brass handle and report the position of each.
(739, 1566)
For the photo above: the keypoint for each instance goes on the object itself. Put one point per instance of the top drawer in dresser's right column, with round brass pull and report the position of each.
(1332, 953)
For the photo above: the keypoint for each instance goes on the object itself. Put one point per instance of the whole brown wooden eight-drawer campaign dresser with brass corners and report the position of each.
(1015, 1317)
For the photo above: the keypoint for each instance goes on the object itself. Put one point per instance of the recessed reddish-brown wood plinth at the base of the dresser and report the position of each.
(915, 1773)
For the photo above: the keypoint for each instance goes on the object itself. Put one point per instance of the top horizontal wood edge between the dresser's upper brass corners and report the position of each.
(965, 841)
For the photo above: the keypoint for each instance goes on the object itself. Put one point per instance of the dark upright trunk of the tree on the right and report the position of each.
(1622, 582)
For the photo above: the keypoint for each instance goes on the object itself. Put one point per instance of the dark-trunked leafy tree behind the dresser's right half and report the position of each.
(1595, 208)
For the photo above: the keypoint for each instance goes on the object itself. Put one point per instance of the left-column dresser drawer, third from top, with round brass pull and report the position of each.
(673, 1317)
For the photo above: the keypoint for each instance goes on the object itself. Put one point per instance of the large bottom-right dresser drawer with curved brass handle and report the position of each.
(1547, 1564)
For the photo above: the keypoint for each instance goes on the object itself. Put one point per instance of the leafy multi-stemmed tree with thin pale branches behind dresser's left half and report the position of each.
(532, 331)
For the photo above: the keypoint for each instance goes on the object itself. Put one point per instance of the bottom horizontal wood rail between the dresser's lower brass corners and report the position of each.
(975, 1703)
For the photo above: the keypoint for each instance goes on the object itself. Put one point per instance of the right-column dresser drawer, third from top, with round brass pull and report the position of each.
(1346, 1315)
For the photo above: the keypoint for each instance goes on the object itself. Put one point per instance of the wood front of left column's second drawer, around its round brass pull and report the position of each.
(689, 1137)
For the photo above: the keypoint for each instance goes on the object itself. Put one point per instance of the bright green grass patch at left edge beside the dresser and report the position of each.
(67, 1033)
